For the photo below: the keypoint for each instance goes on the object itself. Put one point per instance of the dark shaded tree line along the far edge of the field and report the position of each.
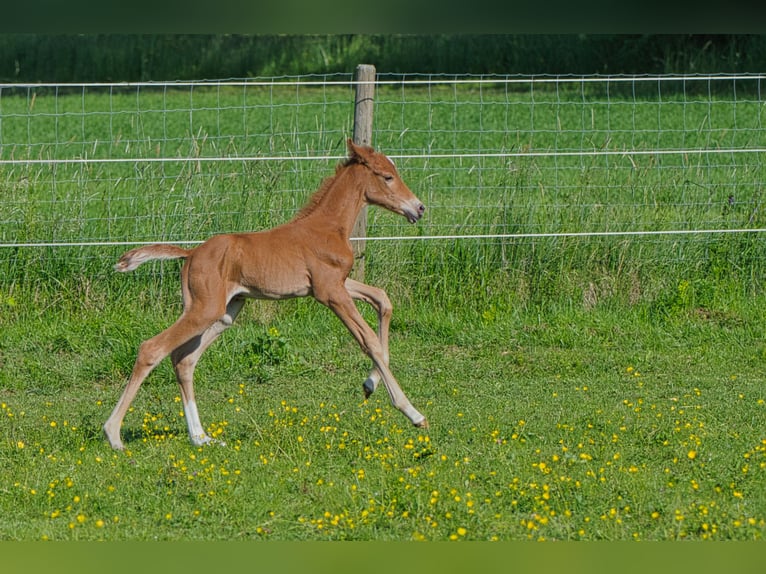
(167, 57)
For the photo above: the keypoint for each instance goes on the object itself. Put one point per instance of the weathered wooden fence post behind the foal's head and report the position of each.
(363, 108)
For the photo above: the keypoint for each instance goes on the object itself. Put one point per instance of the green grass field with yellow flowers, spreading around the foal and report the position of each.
(604, 388)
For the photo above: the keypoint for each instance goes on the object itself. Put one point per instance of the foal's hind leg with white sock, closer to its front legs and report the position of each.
(185, 360)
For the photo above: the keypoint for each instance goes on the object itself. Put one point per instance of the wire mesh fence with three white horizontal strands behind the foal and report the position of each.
(139, 162)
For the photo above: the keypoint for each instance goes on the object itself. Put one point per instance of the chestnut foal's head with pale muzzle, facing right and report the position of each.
(384, 186)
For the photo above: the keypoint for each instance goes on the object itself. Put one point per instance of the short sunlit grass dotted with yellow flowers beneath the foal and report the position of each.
(529, 440)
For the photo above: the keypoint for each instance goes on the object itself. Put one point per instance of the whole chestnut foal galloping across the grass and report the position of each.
(310, 255)
